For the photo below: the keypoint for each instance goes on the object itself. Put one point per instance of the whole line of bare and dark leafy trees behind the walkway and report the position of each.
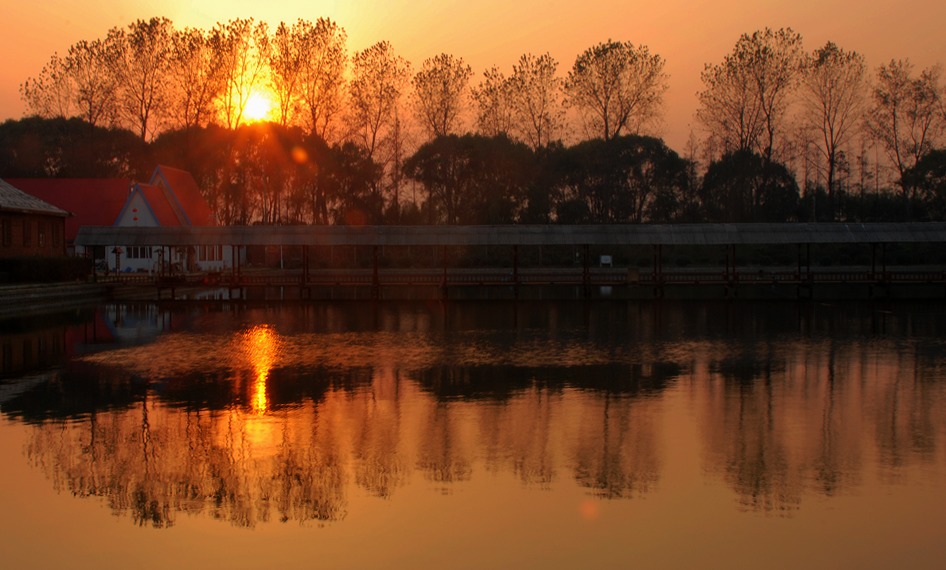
(361, 138)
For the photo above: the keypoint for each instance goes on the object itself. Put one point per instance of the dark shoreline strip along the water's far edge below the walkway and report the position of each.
(37, 299)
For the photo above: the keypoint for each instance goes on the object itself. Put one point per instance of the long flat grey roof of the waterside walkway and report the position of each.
(603, 235)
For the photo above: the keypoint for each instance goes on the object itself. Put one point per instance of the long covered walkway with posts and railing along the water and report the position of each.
(588, 273)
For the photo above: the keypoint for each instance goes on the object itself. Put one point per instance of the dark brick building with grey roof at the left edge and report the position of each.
(29, 226)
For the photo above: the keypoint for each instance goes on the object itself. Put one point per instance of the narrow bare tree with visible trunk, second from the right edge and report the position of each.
(834, 88)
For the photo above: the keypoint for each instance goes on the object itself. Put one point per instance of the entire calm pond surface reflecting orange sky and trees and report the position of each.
(545, 435)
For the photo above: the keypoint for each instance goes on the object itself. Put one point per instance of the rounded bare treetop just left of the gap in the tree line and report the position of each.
(617, 88)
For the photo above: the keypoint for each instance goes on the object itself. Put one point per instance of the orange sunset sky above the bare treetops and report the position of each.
(687, 34)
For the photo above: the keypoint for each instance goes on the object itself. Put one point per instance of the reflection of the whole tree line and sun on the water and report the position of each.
(282, 414)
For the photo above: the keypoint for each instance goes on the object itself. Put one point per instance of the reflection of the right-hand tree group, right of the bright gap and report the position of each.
(803, 419)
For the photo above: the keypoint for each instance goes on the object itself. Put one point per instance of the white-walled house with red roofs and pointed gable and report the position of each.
(170, 198)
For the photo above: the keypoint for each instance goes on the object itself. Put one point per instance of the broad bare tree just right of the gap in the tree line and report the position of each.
(745, 99)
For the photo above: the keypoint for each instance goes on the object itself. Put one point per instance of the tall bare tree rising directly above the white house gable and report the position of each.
(141, 67)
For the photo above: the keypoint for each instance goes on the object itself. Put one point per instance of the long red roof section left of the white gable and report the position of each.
(92, 201)
